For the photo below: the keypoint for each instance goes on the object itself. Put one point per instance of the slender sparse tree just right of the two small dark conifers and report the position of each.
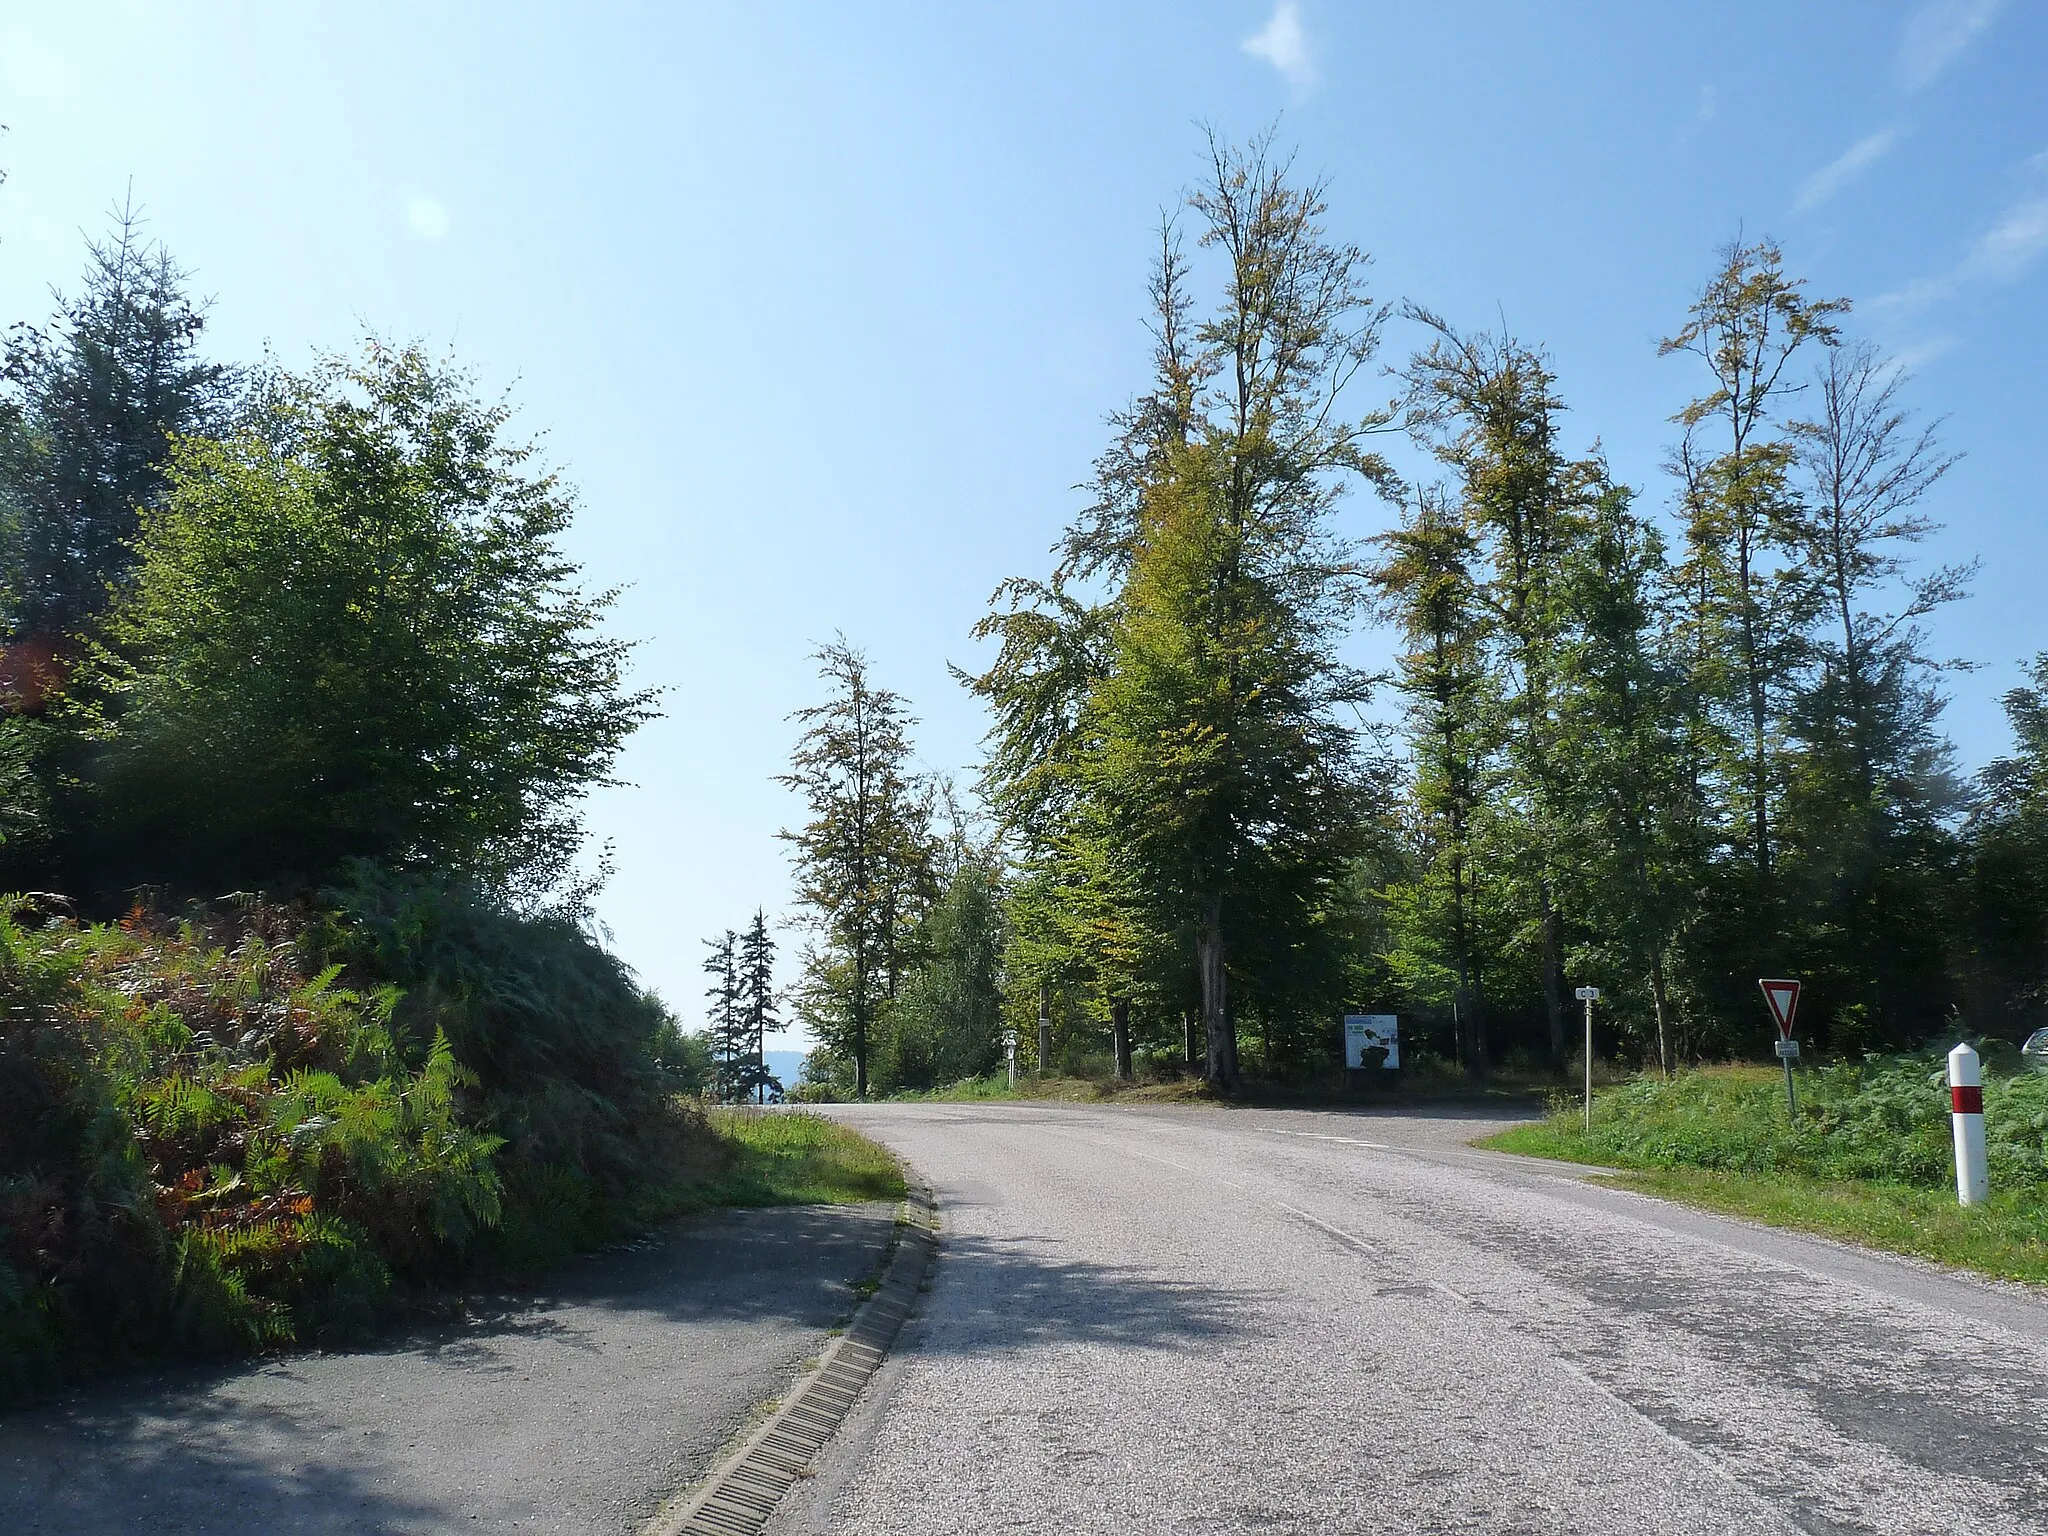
(865, 859)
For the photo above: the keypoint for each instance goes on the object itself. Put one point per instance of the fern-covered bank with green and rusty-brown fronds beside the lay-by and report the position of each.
(245, 1129)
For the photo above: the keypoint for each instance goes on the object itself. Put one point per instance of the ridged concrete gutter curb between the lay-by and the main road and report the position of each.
(742, 1494)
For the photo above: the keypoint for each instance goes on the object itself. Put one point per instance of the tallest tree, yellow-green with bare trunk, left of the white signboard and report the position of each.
(1197, 706)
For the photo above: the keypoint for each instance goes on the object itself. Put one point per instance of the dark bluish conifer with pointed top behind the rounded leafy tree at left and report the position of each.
(99, 398)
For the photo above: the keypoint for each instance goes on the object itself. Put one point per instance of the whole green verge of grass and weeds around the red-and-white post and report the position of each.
(1867, 1164)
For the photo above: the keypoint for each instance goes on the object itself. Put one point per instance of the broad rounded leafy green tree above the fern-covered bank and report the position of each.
(353, 634)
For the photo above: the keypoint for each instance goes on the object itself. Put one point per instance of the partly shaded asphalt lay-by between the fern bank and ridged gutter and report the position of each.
(572, 1412)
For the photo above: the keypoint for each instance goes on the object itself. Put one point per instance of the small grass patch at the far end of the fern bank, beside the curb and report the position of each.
(790, 1158)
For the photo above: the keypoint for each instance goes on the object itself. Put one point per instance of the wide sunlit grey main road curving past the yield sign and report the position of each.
(1287, 1322)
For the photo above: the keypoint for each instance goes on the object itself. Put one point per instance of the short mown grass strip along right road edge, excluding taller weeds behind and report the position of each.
(1652, 1146)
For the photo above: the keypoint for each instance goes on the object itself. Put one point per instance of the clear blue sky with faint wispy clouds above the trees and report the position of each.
(822, 306)
